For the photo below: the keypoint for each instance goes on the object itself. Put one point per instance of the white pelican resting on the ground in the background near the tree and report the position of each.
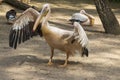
(83, 18)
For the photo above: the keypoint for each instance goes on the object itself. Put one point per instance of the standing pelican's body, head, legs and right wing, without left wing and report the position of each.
(64, 40)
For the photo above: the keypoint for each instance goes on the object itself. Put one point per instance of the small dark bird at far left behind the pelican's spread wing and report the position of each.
(11, 15)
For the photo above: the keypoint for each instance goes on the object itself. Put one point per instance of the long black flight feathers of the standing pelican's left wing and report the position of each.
(18, 36)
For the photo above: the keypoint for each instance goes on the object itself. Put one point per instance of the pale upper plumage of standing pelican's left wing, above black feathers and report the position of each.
(27, 16)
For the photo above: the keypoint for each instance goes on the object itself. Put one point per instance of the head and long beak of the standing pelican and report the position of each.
(45, 10)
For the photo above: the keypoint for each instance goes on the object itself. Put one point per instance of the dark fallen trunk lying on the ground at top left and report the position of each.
(19, 4)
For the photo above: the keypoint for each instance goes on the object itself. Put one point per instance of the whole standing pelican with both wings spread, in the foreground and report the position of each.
(68, 41)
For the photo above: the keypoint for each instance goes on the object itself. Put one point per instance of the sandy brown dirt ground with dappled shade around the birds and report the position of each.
(29, 60)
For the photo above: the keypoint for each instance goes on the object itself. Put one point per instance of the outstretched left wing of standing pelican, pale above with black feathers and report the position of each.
(22, 27)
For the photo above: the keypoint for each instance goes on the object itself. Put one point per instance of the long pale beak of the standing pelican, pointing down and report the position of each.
(40, 17)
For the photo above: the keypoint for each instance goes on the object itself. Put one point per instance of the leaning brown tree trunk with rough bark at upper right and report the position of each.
(110, 23)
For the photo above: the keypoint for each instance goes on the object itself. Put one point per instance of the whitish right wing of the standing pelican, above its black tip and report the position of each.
(78, 35)
